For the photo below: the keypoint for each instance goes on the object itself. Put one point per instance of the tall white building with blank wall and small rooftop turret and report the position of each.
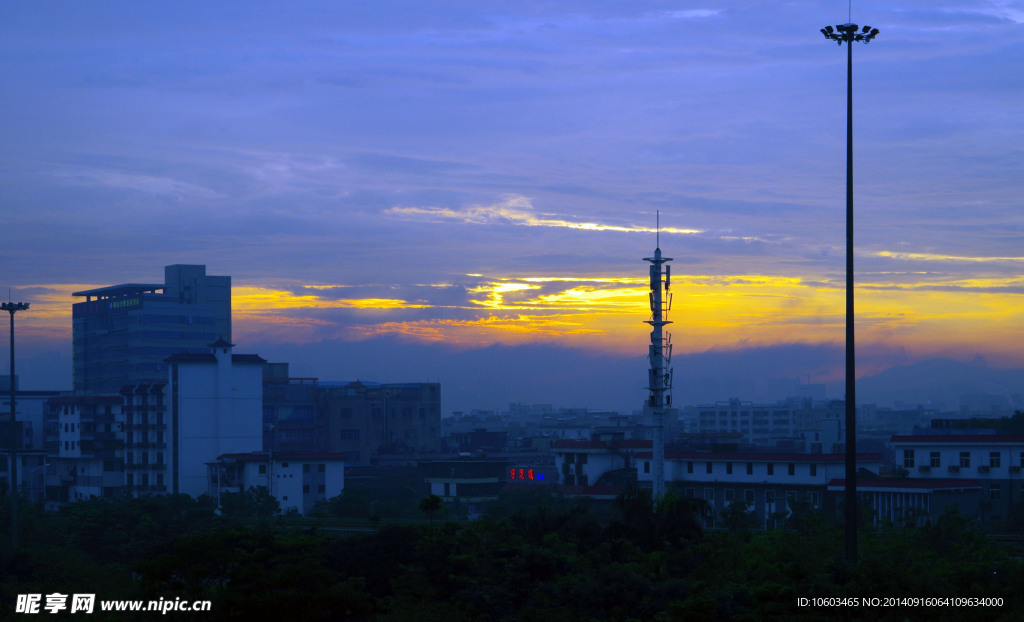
(217, 408)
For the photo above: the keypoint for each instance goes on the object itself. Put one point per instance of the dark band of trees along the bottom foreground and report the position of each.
(538, 560)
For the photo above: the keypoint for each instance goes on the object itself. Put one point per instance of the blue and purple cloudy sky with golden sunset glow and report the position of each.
(465, 192)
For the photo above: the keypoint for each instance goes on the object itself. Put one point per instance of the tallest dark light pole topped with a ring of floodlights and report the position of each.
(848, 33)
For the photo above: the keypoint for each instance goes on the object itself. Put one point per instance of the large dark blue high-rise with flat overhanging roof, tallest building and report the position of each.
(122, 335)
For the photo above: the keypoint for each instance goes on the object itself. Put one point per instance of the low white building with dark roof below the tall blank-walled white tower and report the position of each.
(298, 482)
